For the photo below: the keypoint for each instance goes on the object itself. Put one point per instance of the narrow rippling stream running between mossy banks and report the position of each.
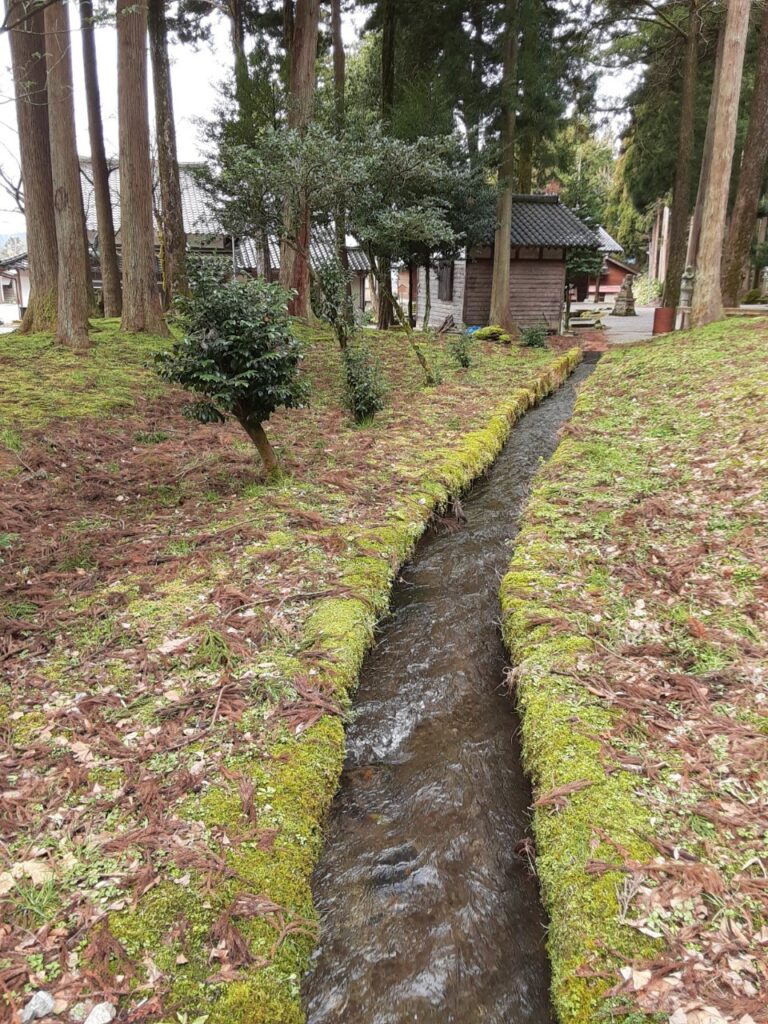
(429, 910)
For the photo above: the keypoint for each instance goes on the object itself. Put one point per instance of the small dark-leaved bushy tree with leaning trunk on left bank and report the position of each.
(238, 353)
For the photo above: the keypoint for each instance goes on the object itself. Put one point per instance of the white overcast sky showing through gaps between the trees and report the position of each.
(197, 78)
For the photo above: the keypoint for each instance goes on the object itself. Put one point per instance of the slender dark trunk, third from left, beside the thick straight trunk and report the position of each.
(107, 252)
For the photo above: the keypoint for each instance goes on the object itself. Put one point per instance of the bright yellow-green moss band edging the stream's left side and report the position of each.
(295, 782)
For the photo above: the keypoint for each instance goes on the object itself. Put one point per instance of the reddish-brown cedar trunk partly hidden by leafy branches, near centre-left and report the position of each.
(294, 271)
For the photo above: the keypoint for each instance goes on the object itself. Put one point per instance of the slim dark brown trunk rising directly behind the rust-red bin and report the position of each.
(681, 191)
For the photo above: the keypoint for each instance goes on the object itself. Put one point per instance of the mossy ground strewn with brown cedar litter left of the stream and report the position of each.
(180, 645)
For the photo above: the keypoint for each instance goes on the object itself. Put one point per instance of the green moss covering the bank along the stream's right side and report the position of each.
(620, 459)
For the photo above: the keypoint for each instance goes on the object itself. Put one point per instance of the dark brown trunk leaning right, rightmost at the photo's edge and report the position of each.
(750, 179)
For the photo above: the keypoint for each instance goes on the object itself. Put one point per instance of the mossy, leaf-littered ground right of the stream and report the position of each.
(636, 611)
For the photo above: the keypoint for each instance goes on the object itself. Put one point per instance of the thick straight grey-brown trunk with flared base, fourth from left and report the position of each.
(142, 310)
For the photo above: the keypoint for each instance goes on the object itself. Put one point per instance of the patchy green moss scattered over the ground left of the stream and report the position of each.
(294, 777)
